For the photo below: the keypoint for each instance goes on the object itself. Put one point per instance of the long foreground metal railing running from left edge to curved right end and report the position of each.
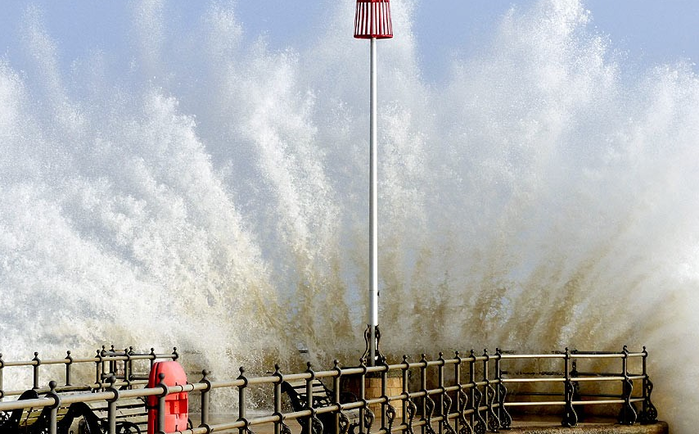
(471, 394)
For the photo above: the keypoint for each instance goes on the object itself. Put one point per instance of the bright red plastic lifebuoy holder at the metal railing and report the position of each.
(176, 404)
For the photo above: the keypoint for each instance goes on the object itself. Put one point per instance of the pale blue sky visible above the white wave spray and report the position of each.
(650, 31)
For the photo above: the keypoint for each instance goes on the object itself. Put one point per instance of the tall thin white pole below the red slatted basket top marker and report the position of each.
(373, 216)
